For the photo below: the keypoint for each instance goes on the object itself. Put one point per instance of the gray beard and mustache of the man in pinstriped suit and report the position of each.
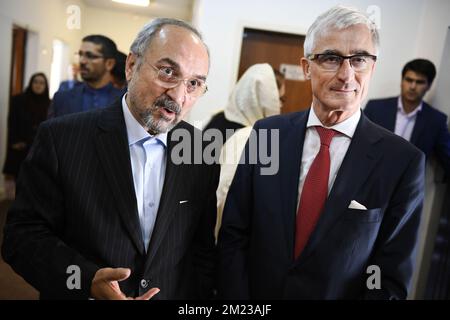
(161, 125)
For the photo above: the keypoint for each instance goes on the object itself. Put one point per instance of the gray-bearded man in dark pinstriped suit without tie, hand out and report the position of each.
(104, 207)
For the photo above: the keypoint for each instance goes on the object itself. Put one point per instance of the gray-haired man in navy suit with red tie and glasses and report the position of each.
(339, 219)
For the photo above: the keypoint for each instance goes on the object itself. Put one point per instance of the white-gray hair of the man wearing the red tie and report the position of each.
(339, 17)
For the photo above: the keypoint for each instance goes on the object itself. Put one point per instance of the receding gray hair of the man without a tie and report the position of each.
(149, 31)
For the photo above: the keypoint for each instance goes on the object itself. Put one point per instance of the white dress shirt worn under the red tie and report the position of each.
(338, 147)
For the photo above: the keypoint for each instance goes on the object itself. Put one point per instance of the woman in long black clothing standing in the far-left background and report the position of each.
(27, 111)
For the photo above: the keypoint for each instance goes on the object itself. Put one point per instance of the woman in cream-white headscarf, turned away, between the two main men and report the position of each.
(258, 94)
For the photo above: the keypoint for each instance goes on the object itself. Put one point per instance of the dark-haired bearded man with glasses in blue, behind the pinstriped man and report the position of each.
(97, 58)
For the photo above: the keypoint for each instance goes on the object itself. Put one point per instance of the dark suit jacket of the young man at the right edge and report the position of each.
(430, 133)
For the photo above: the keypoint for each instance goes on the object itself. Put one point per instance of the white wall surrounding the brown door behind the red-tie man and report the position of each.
(409, 28)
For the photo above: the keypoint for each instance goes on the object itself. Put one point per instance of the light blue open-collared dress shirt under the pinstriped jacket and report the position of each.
(148, 163)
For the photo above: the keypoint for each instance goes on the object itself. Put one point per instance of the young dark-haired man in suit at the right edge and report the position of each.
(412, 118)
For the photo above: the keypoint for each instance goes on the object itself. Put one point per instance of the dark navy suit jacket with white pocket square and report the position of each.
(256, 243)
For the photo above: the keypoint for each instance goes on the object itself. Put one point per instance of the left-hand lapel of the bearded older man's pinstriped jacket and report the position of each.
(114, 154)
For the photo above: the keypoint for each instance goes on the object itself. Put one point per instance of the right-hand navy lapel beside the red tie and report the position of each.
(357, 165)
